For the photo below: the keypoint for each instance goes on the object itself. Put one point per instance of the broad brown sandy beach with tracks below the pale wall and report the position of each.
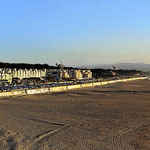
(111, 117)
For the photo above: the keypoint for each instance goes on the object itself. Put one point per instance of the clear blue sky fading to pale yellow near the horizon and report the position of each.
(81, 32)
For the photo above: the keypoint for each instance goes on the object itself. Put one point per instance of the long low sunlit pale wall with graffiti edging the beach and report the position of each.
(67, 87)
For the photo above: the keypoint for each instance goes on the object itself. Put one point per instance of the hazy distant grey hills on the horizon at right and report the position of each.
(129, 66)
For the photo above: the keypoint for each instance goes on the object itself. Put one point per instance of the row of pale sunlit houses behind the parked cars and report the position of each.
(8, 74)
